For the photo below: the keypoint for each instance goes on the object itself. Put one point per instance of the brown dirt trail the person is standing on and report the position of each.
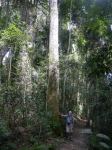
(79, 140)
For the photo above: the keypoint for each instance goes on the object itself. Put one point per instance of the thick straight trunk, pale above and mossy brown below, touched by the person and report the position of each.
(53, 85)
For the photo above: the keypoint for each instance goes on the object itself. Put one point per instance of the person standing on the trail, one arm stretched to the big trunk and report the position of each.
(69, 124)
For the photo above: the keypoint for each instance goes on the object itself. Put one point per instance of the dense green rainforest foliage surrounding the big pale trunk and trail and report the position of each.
(85, 70)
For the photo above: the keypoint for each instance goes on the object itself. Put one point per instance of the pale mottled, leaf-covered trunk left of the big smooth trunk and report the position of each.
(24, 64)
